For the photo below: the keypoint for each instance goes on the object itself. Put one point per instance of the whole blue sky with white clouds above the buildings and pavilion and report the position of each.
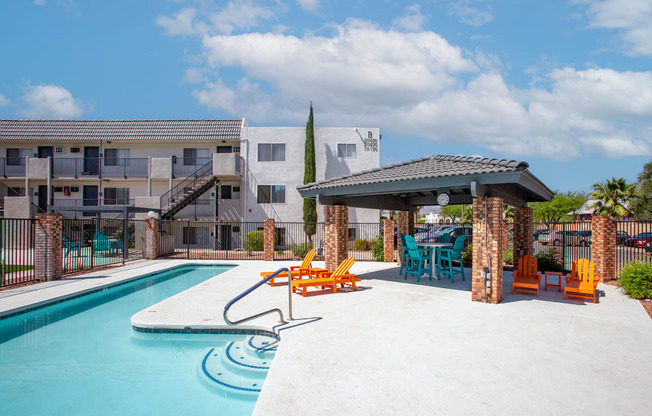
(563, 85)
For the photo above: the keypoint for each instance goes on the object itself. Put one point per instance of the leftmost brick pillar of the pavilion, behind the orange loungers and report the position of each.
(336, 219)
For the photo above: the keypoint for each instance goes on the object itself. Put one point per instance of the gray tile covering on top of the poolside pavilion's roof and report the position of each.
(427, 167)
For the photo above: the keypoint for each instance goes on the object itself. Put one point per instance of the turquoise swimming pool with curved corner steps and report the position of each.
(82, 356)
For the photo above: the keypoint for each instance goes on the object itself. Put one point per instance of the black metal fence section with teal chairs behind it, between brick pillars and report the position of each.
(93, 243)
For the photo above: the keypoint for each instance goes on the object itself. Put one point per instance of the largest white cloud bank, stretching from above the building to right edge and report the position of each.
(417, 84)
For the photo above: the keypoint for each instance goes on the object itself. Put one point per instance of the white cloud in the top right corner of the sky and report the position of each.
(633, 18)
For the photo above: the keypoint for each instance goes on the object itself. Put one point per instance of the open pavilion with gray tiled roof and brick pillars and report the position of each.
(438, 180)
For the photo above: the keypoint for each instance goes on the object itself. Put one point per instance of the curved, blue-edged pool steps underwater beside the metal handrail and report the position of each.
(240, 367)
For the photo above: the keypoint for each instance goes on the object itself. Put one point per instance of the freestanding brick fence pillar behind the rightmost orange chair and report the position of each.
(603, 247)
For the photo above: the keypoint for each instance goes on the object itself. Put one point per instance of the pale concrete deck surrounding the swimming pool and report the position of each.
(401, 347)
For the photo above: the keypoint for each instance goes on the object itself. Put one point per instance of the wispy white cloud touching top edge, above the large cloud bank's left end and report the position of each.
(238, 14)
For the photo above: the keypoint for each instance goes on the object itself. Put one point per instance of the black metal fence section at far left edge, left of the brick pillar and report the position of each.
(16, 251)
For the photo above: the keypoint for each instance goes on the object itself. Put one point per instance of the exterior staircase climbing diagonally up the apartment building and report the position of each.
(188, 191)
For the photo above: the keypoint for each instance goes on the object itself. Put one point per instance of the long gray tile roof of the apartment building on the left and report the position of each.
(120, 129)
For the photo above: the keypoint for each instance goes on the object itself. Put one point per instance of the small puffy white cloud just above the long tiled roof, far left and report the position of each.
(51, 101)
